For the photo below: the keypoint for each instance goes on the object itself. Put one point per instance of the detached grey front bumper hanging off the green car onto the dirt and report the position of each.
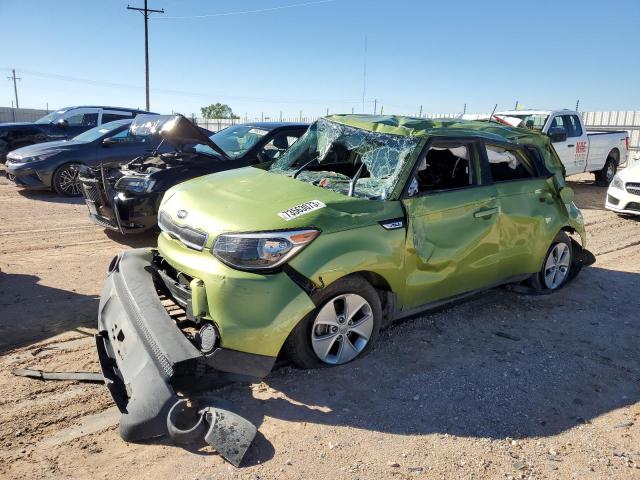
(146, 360)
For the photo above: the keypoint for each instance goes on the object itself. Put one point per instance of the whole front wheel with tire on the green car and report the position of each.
(342, 327)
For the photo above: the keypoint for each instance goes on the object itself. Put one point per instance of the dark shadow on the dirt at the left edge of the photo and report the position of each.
(31, 312)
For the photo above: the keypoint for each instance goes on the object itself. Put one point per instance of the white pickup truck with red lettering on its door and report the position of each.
(580, 150)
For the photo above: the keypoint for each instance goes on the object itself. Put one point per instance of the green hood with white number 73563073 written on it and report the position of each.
(251, 199)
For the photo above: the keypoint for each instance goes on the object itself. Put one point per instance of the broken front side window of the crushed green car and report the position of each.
(444, 167)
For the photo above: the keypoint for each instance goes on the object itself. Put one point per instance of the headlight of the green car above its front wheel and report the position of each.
(261, 251)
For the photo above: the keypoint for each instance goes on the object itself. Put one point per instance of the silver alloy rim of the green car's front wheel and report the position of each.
(342, 329)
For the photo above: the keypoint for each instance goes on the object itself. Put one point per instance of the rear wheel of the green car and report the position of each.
(556, 265)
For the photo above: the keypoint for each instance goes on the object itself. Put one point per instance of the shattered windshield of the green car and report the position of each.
(347, 160)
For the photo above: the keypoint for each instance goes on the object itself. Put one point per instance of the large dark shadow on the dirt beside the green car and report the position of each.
(504, 365)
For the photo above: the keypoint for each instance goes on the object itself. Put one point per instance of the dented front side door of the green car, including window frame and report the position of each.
(452, 234)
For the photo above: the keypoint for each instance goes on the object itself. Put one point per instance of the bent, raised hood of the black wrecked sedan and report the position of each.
(176, 130)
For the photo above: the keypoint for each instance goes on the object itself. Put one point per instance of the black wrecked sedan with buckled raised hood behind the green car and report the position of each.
(126, 199)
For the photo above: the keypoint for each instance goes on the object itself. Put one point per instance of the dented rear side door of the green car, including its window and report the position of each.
(527, 207)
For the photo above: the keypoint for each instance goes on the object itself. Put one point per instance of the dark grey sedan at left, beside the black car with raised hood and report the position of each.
(53, 165)
